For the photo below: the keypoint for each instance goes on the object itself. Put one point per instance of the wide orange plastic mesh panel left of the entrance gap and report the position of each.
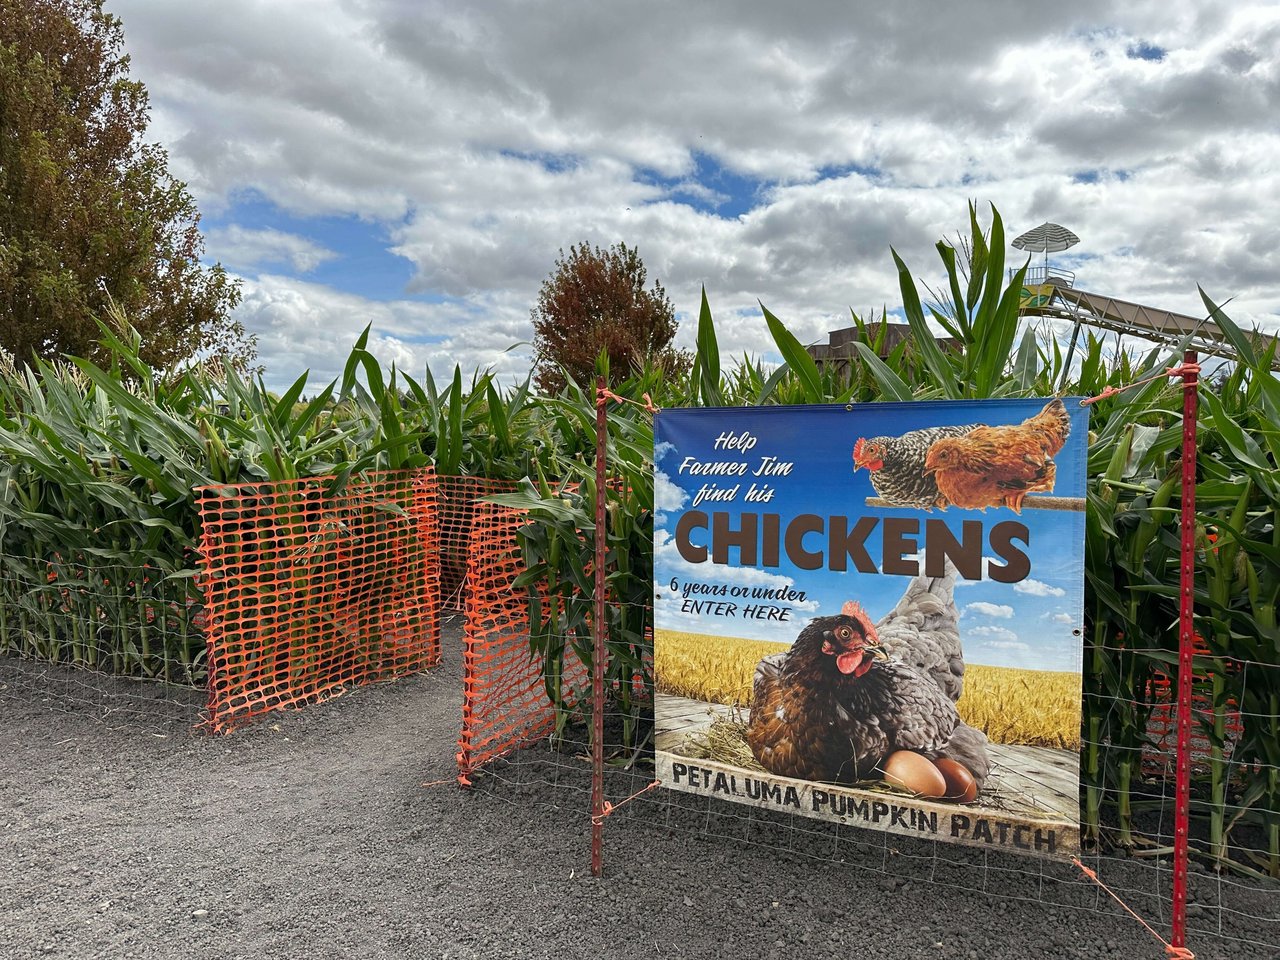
(308, 592)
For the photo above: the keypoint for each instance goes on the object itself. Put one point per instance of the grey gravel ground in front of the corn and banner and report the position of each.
(319, 834)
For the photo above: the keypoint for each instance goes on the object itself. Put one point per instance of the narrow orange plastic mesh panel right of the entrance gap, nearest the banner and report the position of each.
(505, 697)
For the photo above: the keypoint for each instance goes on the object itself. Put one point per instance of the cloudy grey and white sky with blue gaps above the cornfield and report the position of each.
(418, 166)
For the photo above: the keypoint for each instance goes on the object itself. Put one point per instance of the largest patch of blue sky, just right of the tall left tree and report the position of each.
(364, 264)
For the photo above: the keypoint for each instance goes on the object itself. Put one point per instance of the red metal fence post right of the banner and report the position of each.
(1186, 650)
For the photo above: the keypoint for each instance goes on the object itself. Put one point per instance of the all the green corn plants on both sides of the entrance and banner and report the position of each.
(98, 463)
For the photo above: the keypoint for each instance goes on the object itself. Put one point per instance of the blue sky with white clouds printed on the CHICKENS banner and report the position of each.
(1027, 624)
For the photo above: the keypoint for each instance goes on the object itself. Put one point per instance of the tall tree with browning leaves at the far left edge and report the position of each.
(89, 213)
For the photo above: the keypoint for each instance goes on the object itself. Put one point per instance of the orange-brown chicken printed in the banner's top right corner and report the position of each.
(998, 467)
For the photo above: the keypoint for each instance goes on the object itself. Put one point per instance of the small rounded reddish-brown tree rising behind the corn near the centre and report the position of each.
(597, 300)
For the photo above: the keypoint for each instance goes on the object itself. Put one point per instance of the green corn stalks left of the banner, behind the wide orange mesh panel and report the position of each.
(99, 468)
